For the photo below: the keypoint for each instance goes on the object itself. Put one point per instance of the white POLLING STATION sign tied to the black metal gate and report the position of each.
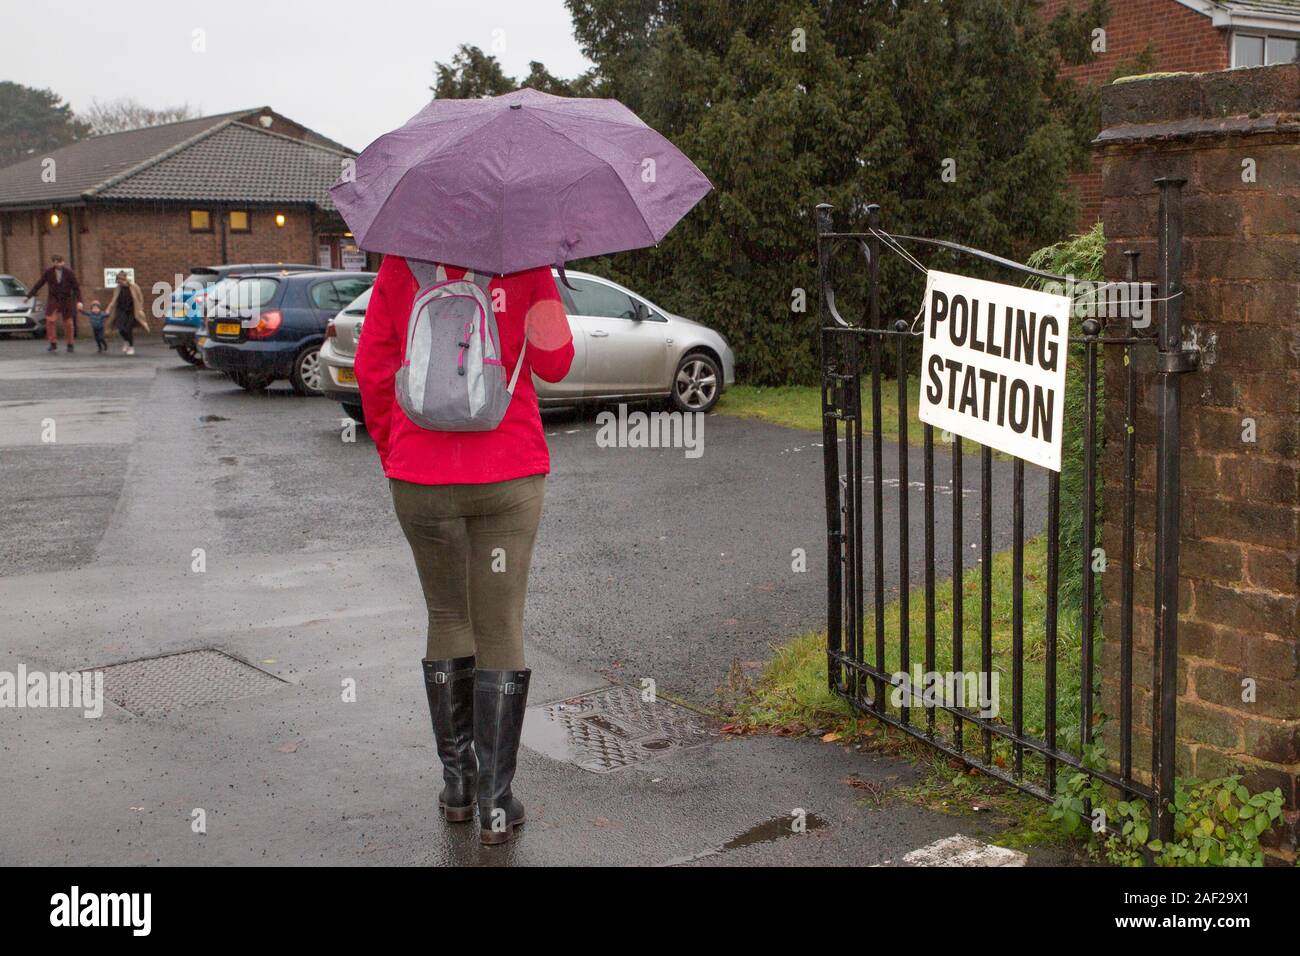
(994, 365)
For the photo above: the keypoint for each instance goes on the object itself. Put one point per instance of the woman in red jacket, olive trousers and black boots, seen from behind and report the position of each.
(457, 352)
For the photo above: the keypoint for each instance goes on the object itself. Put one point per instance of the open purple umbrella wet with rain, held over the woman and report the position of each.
(518, 181)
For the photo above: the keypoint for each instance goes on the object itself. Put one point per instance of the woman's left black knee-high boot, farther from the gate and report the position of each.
(450, 686)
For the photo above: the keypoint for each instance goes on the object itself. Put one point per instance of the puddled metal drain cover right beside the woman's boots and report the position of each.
(609, 730)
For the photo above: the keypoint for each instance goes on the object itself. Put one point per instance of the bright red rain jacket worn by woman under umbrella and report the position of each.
(517, 448)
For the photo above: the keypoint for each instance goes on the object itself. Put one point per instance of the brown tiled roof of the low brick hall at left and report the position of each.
(215, 158)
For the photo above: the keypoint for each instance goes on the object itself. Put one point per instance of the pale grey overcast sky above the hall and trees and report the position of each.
(350, 70)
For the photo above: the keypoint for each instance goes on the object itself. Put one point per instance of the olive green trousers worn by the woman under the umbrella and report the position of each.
(473, 548)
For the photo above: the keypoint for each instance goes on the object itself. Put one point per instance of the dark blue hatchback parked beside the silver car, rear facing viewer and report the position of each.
(271, 327)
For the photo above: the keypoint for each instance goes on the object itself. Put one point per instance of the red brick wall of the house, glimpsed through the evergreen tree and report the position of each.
(1181, 41)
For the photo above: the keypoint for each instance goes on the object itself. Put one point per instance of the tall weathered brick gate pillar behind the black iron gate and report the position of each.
(1236, 137)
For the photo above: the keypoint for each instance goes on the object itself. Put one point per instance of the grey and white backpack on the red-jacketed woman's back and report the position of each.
(453, 378)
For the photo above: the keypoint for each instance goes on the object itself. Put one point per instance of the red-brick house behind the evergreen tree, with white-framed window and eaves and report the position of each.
(1184, 37)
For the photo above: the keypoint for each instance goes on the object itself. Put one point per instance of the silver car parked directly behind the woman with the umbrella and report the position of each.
(625, 347)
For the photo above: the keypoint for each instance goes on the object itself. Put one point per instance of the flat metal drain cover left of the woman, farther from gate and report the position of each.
(157, 685)
